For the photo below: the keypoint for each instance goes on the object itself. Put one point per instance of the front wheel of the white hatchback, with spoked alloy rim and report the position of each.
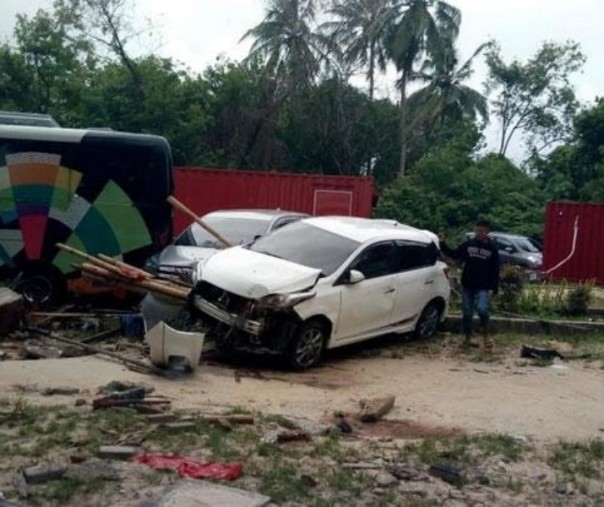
(307, 346)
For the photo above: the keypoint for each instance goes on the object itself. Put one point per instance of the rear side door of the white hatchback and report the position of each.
(417, 281)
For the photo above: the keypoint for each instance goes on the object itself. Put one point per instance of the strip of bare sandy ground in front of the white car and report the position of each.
(560, 402)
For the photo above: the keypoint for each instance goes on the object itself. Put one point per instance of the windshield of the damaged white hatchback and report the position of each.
(307, 245)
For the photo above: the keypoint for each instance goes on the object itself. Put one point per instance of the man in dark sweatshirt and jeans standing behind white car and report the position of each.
(480, 277)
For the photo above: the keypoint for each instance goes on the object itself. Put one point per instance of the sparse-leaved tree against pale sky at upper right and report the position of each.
(536, 98)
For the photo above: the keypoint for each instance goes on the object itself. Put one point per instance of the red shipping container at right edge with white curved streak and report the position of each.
(574, 242)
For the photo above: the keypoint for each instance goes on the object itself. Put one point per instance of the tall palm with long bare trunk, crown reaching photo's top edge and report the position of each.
(424, 27)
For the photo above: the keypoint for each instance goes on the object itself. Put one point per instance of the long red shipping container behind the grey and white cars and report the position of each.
(207, 189)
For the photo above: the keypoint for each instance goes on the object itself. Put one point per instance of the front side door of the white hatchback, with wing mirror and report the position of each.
(367, 306)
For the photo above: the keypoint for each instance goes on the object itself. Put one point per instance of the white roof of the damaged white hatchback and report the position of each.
(366, 229)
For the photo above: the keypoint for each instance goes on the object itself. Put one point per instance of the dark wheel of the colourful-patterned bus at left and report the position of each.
(42, 287)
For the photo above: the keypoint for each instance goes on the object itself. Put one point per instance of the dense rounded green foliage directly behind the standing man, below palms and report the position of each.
(449, 189)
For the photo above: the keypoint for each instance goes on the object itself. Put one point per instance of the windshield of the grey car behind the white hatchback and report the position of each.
(237, 230)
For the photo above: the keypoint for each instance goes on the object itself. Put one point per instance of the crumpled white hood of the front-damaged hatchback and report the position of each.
(254, 275)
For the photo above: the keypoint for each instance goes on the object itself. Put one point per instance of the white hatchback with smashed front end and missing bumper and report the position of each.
(323, 283)
